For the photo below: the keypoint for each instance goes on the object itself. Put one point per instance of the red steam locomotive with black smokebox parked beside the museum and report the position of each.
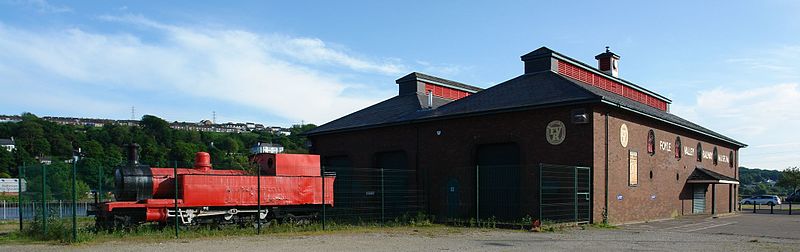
(291, 186)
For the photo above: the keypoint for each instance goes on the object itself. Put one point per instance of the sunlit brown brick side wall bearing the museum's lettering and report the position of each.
(673, 197)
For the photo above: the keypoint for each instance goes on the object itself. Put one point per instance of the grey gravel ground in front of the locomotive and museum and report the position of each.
(453, 239)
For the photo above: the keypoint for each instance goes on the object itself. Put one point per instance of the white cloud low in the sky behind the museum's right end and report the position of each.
(765, 117)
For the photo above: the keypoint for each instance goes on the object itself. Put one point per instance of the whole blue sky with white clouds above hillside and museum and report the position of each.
(731, 66)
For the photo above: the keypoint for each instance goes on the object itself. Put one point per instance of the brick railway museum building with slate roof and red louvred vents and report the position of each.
(564, 141)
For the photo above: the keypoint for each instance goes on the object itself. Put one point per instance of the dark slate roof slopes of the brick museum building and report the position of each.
(539, 89)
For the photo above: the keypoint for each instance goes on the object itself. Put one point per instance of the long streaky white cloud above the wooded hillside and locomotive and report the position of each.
(273, 73)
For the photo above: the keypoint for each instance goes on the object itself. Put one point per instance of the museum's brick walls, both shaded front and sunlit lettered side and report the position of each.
(451, 154)
